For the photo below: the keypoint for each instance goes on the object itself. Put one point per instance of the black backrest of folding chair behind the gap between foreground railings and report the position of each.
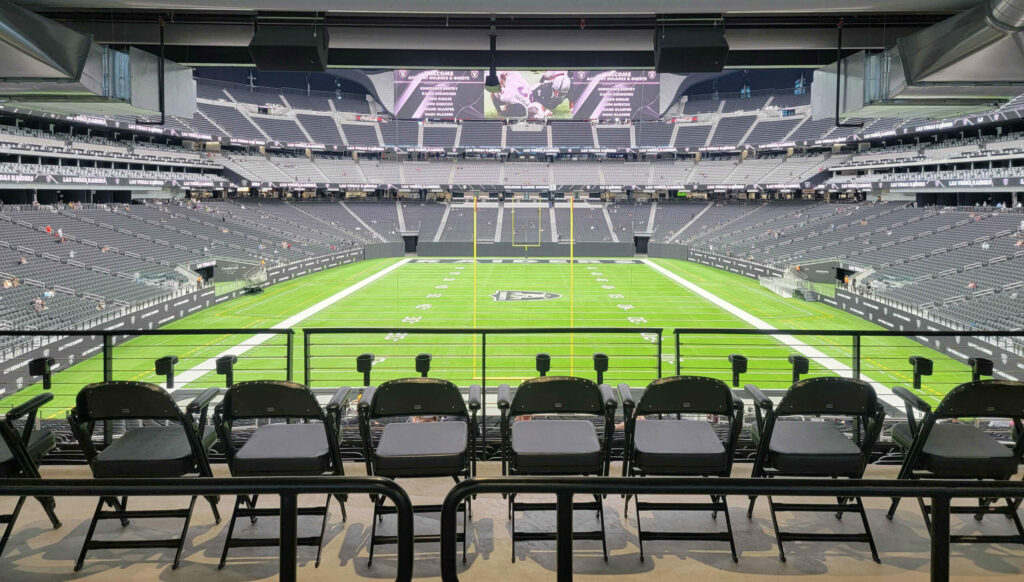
(418, 397)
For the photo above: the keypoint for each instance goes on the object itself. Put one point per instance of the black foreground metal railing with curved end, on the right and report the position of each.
(941, 492)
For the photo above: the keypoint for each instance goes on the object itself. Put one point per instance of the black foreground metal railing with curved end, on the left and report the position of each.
(288, 489)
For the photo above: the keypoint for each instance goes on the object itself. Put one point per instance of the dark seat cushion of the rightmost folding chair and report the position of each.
(956, 450)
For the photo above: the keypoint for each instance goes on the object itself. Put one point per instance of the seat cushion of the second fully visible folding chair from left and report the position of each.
(284, 450)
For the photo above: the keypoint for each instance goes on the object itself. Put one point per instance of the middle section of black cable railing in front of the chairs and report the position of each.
(487, 357)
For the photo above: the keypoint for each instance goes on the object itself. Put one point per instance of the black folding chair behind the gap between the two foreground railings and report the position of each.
(410, 450)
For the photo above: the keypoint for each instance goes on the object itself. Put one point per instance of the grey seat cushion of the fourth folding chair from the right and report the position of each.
(556, 447)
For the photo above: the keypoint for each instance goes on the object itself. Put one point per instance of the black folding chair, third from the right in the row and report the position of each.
(681, 447)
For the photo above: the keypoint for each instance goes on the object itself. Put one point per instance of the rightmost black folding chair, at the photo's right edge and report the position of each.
(942, 447)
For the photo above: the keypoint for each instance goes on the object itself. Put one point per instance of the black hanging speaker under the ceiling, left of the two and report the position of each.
(290, 48)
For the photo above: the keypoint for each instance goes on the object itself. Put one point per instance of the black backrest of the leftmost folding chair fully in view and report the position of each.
(112, 401)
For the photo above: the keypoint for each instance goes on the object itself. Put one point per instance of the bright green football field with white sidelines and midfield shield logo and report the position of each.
(413, 297)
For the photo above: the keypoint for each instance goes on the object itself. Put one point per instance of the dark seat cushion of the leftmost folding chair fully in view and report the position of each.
(150, 451)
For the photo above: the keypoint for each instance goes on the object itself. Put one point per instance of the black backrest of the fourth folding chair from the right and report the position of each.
(558, 395)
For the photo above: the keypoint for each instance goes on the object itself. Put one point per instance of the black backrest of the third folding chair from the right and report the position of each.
(687, 395)
